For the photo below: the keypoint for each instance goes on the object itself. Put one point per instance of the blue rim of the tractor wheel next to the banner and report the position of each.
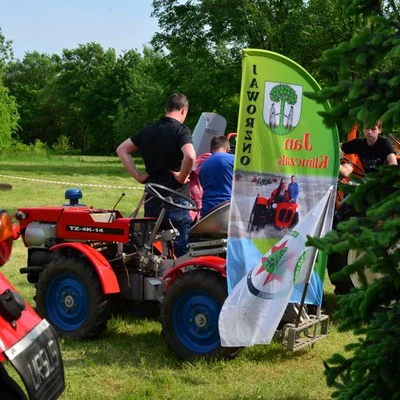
(195, 321)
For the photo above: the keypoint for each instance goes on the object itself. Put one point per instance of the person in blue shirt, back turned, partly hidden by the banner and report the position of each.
(216, 174)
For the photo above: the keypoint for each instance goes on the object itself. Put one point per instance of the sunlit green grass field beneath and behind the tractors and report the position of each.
(131, 360)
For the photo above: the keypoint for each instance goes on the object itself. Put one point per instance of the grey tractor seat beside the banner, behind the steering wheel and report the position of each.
(214, 222)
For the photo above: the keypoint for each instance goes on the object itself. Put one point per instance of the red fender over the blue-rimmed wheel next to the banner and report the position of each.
(211, 262)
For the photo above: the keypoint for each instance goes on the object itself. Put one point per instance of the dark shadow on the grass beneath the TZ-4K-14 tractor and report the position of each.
(133, 337)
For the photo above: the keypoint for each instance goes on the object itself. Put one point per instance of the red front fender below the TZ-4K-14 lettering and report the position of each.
(107, 277)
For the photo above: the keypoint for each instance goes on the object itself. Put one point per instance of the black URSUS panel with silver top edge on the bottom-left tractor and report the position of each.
(37, 359)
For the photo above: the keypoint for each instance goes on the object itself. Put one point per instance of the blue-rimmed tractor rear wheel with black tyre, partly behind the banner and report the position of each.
(190, 312)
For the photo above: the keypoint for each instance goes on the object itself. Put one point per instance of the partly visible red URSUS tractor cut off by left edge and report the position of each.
(28, 342)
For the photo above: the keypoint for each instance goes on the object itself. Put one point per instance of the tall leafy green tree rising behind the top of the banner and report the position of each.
(204, 39)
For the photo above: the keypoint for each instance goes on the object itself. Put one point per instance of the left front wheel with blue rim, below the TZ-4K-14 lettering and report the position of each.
(70, 297)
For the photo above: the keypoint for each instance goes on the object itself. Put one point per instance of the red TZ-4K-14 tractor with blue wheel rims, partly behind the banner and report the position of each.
(82, 258)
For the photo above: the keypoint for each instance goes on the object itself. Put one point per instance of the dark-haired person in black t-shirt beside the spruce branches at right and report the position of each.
(372, 150)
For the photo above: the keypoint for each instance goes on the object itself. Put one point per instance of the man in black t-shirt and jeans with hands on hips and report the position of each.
(167, 150)
